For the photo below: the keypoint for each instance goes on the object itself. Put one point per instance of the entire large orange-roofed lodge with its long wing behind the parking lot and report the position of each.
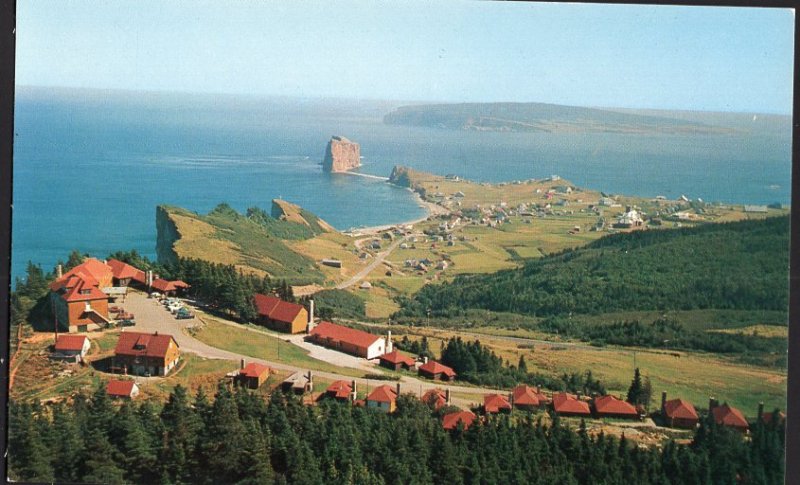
(79, 299)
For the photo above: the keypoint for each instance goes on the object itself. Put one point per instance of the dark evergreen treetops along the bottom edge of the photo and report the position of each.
(241, 437)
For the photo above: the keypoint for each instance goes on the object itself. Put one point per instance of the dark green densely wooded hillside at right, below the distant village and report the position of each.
(740, 265)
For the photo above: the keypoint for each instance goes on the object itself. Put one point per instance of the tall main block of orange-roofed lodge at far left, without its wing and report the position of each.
(77, 301)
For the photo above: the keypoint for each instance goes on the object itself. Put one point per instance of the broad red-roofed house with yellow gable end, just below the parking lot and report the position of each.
(146, 354)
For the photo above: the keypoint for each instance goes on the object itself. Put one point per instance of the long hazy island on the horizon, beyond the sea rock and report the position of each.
(541, 117)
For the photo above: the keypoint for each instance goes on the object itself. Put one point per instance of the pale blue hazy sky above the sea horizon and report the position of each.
(665, 57)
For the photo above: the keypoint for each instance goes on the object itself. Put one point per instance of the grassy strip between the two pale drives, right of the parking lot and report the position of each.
(263, 346)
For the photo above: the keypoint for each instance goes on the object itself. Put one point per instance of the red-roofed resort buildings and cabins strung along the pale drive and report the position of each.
(151, 320)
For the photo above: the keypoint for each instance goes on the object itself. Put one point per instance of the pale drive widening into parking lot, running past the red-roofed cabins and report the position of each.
(152, 316)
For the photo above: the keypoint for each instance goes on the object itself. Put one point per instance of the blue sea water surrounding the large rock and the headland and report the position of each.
(91, 166)
